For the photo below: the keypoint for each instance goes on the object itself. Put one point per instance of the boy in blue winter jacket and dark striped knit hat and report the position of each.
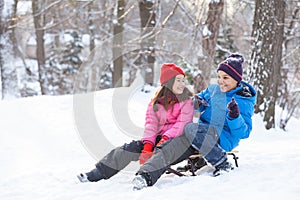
(226, 111)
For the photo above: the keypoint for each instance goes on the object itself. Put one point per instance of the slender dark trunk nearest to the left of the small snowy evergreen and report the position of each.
(38, 19)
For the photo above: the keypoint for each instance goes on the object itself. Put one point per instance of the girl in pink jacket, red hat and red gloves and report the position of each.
(167, 114)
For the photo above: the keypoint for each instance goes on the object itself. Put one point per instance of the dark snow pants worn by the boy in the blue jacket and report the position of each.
(198, 137)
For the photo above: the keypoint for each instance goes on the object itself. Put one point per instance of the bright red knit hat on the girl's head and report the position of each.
(168, 71)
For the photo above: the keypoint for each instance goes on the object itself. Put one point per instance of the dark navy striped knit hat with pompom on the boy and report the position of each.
(233, 66)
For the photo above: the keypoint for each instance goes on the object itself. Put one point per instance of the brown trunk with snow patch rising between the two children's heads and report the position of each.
(209, 40)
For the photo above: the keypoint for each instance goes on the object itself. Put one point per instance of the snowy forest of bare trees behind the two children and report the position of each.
(58, 47)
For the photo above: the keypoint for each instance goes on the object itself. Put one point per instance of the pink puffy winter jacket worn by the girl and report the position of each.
(167, 122)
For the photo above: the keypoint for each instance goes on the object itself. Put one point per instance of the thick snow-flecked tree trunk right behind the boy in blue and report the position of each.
(266, 56)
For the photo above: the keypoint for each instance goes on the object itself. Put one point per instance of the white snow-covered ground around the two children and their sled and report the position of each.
(42, 151)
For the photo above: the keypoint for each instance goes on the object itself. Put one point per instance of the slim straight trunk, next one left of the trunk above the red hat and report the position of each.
(118, 45)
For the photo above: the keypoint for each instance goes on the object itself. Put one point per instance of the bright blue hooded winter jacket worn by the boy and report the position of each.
(230, 131)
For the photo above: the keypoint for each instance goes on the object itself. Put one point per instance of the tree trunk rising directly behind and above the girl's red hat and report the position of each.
(148, 21)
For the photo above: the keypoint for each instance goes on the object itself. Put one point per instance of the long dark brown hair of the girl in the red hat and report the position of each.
(167, 97)
